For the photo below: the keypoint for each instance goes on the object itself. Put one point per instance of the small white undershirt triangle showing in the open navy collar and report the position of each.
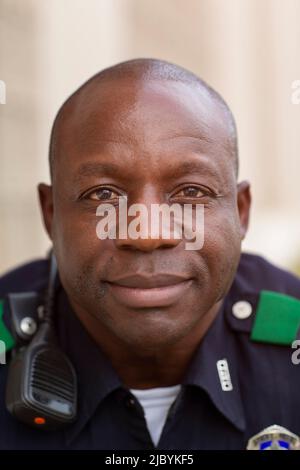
(156, 403)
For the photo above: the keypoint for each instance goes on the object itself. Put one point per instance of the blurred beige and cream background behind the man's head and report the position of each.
(249, 50)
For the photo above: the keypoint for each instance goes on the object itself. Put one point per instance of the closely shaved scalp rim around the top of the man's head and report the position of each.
(139, 71)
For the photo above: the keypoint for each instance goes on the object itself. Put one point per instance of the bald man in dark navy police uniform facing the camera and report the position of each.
(173, 348)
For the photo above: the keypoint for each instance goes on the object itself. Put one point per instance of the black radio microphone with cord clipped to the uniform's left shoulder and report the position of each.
(41, 386)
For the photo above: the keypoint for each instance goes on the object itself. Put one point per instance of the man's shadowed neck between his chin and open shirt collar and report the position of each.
(159, 367)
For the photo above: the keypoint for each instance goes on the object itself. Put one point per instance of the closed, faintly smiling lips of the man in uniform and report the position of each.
(155, 291)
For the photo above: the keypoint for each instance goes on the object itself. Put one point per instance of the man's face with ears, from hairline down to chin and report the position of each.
(153, 142)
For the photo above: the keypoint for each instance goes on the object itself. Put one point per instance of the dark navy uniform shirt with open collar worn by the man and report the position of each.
(265, 382)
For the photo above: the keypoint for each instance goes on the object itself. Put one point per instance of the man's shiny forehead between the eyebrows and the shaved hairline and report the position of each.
(141, 118)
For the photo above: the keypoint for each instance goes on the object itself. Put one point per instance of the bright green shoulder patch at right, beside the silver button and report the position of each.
(277, 318)
